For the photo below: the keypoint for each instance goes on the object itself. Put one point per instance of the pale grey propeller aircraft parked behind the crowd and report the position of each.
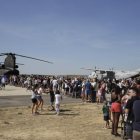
(112, 74)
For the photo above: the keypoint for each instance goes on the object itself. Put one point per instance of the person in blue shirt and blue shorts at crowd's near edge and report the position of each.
(87, 90)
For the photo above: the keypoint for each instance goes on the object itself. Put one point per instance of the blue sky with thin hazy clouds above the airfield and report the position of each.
(73, 34)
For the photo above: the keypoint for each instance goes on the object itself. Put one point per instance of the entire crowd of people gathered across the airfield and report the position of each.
(119, 97)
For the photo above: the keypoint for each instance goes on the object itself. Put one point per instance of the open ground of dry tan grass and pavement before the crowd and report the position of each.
(77, 121)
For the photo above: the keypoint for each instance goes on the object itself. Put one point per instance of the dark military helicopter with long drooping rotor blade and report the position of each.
(9, 67)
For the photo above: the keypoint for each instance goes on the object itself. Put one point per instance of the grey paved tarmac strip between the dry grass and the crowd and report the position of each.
(16, 97)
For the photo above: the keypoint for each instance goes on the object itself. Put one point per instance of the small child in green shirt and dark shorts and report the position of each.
(105, 114)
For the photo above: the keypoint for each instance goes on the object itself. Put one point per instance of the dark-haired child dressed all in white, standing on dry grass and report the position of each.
(58, 98)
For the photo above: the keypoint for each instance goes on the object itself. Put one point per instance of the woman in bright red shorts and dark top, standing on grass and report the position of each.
(115, 109)
